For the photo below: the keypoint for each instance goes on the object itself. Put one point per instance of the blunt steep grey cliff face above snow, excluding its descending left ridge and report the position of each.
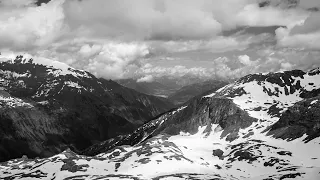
(208, 111)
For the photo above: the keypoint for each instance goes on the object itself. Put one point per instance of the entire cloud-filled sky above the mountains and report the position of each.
(149, 39)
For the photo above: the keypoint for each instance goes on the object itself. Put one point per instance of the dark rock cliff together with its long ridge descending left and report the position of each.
(200, 112)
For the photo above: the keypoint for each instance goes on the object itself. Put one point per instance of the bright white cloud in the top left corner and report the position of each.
(28, 27)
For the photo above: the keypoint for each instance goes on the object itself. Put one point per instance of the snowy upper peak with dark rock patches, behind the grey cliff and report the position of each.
(264, 96)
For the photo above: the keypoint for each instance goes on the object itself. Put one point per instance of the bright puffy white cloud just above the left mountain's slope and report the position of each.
(110, 60)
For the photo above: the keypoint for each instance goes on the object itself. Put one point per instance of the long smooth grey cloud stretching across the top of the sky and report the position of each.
(170, 19)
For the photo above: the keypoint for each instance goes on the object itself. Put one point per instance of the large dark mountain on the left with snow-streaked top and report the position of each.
(45, 109)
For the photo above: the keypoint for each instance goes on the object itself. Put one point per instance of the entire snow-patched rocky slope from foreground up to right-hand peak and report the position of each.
(232, 134)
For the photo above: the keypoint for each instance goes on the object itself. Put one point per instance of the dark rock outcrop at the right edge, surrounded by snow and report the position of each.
(302, 118)
